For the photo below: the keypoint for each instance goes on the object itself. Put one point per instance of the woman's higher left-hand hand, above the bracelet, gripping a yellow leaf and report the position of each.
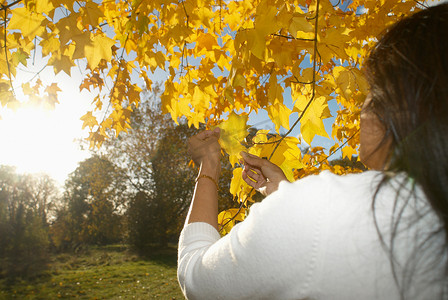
(205, 151)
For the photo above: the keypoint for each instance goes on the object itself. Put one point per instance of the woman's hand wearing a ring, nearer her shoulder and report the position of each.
(261, 174)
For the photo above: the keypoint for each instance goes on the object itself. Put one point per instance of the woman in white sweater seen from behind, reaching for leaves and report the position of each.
(381, 234)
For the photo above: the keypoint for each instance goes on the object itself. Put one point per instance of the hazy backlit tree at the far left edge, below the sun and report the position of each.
(24, 205)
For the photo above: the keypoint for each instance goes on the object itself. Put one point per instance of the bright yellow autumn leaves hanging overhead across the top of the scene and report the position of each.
(223, 60)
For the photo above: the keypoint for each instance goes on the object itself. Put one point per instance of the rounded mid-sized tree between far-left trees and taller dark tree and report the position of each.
(94, 204)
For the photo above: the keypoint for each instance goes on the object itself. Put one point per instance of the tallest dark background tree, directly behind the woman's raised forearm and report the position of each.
(154, 155)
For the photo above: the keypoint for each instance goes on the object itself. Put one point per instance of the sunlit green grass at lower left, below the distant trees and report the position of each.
(102, 273)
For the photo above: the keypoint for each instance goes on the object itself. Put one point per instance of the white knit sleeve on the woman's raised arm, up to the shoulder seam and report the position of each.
(258, 259)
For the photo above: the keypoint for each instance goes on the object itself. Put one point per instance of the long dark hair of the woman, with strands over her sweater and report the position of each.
(408, 74)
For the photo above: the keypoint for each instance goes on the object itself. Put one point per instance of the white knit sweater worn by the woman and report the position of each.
(312, 239)
